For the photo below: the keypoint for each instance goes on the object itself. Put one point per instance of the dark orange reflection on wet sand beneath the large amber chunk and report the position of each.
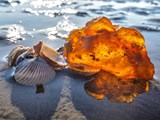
(115, 89)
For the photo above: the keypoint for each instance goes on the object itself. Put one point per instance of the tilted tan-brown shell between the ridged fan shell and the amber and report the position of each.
(50, 55)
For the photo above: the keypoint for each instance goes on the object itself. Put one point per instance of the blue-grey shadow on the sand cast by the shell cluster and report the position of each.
(35, 106)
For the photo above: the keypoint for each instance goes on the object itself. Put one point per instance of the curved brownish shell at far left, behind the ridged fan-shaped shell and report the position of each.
(17, 51)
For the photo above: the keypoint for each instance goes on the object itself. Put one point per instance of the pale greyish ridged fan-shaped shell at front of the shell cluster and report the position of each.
(33, 72)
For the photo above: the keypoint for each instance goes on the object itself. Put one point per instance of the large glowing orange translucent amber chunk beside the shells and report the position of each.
(118, 50)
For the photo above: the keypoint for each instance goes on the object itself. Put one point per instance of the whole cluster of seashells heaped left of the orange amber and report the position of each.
(35, 65)
